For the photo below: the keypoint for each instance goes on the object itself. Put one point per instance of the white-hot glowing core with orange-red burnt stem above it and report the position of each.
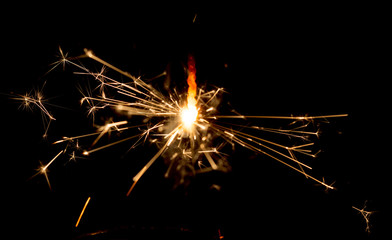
(189, 113)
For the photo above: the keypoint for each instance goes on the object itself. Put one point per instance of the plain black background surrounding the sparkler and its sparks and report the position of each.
(272, 60)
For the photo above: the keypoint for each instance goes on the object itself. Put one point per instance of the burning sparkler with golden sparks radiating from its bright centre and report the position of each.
(187, 128)
